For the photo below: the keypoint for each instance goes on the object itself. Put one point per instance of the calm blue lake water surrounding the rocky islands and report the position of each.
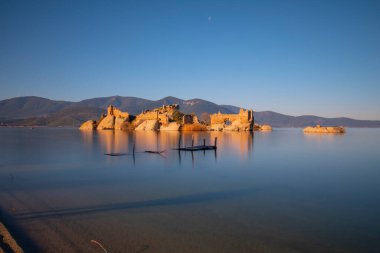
(282, 191)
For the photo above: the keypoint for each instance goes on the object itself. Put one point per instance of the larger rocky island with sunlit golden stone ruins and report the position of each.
(170, 118)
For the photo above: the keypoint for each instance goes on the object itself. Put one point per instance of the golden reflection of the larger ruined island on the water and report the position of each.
(230, 143)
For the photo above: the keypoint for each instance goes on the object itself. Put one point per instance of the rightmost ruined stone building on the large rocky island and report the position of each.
(243, 121)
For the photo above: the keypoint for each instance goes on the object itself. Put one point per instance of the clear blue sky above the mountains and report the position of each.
(297, 57)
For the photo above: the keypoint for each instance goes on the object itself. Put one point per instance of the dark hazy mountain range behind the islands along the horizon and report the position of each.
(37, 111)
